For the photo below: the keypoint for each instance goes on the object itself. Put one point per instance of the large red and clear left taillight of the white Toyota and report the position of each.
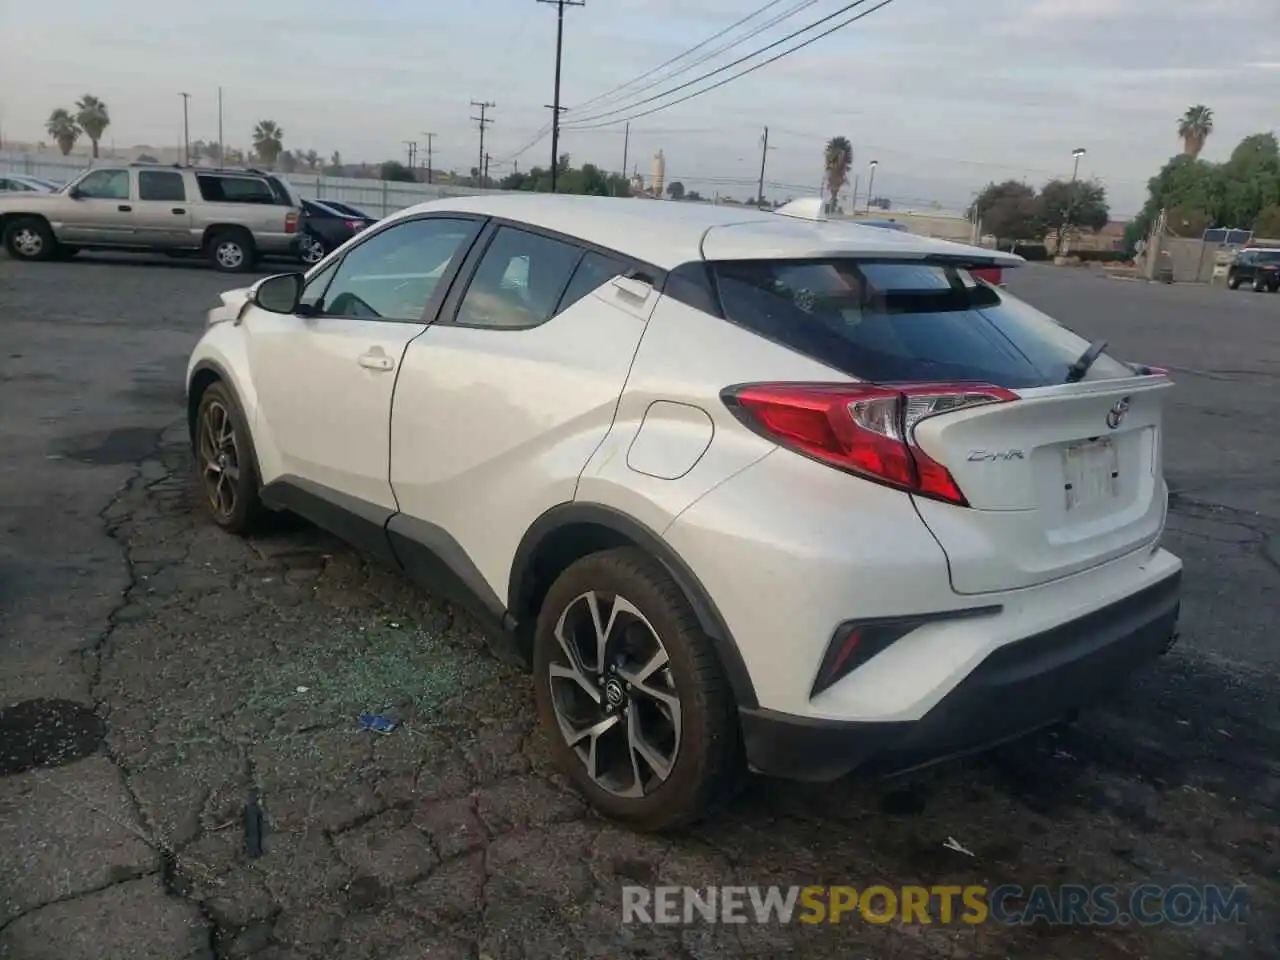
(867, 429)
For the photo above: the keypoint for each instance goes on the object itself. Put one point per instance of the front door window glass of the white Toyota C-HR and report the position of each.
(395, 275)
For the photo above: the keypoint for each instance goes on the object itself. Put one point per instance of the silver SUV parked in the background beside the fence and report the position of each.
(232, 217)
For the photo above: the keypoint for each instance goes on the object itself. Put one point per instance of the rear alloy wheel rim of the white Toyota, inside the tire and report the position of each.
(614, 694)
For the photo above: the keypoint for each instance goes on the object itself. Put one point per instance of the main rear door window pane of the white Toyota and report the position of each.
(519, 282)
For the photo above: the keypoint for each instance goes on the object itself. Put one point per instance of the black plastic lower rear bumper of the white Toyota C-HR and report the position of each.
(1020, 688)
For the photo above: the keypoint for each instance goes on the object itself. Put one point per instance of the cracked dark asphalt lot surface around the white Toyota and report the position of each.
(186, 671)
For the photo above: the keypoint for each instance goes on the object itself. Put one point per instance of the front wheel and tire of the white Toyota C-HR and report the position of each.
(225, 463)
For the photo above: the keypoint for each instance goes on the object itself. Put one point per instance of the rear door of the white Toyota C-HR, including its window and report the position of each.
(501, 405)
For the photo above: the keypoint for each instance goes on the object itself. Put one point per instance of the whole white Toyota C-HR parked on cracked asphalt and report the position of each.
(744, 491)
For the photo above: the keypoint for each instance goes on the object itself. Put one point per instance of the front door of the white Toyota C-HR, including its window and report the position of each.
(324, 378)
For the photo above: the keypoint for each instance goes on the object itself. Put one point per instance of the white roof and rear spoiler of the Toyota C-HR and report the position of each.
(670, 234)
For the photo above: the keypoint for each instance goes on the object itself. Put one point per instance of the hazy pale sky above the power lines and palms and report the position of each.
(947, 95)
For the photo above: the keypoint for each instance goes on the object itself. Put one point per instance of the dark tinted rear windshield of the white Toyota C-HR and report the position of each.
(903, 322)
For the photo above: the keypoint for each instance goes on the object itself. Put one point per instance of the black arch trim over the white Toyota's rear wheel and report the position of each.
(523, 583)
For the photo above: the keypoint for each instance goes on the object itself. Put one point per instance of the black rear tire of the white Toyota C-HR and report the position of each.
(705, 762)
